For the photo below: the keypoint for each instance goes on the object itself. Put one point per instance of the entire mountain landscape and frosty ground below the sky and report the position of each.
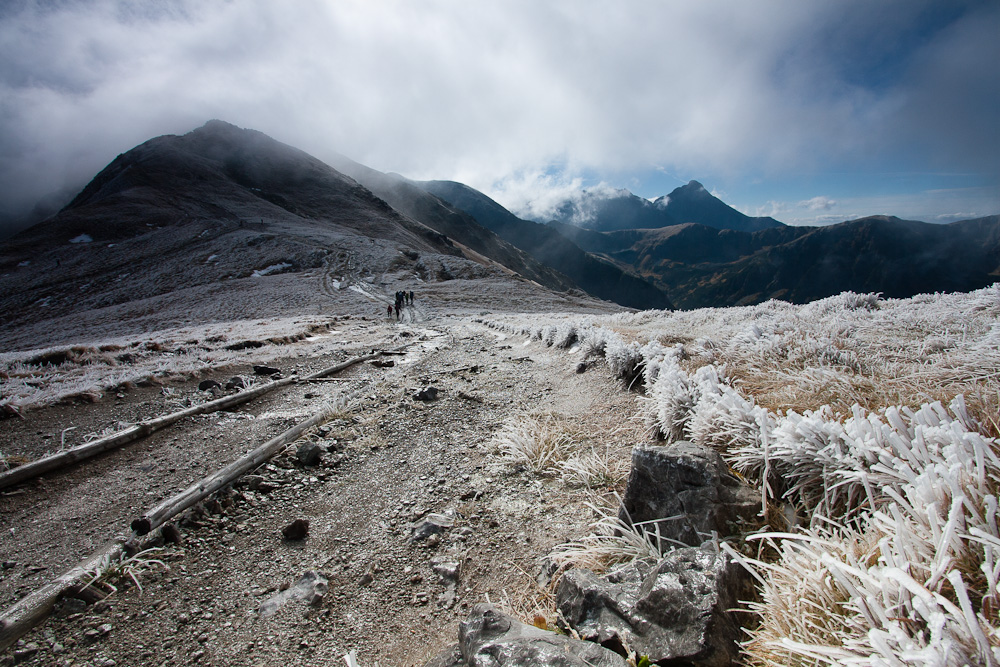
(260, 410)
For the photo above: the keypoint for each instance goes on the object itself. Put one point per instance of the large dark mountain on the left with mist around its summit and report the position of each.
(223, 223)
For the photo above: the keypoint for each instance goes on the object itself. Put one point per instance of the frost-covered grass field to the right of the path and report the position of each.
(869, 427)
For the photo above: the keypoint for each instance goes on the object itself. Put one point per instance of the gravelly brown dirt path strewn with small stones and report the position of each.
(413, 516)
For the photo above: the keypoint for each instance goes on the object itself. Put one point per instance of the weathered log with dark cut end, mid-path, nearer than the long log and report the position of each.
(220, 478)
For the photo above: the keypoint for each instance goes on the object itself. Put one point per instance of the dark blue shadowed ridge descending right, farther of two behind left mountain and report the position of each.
(595, 276)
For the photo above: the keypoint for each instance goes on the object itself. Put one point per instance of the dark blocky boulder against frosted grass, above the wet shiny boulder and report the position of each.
(687, 491)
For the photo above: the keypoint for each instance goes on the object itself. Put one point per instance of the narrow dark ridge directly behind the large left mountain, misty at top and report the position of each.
(431, 211)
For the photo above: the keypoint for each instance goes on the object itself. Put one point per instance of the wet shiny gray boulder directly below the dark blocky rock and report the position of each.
(679, 609)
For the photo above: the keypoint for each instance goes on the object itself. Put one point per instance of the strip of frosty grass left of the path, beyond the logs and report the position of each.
(36, 378)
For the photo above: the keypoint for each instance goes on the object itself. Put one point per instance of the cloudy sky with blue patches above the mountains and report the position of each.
(813, 112)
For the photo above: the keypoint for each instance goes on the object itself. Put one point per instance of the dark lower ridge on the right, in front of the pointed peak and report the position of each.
(703, 267)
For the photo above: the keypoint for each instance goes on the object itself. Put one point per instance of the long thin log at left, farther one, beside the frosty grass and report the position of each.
(88, 450)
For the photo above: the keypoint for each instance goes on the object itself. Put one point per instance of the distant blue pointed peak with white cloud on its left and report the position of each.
(620, 210)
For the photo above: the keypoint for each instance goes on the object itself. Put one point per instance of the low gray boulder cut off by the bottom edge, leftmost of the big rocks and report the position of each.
(489, 638)
